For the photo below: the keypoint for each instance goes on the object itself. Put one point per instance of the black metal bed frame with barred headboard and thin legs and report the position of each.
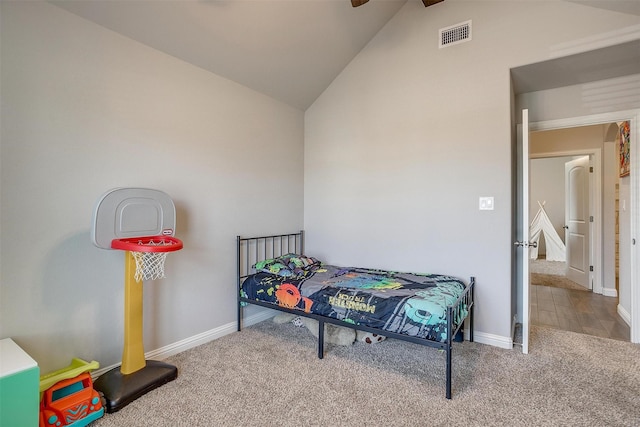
(253, 249)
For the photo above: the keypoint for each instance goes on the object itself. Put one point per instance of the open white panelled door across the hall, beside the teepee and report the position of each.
(577, 220)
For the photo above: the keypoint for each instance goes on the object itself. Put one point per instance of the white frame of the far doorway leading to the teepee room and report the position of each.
(596, 278)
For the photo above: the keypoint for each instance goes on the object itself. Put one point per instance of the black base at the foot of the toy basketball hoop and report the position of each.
(119, 390)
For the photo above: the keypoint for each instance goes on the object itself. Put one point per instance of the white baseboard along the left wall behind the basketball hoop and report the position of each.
(196, 340)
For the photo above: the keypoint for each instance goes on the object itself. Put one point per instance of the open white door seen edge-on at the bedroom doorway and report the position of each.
(522, 227)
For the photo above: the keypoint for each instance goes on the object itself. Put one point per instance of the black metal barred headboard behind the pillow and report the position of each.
(254, 249)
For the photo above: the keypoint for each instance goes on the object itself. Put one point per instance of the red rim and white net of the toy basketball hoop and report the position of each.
(150, 253)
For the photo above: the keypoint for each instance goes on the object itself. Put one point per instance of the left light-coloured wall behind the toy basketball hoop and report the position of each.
(85, 110)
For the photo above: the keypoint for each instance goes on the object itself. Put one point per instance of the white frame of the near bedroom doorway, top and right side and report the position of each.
(634, 117)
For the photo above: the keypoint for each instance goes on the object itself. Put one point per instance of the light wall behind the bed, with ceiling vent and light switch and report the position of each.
(401, 145)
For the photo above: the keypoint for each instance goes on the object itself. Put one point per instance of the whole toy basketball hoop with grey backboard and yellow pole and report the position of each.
(141, 222)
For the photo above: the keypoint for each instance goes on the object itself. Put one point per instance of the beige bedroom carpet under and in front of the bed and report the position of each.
(269, 375)
